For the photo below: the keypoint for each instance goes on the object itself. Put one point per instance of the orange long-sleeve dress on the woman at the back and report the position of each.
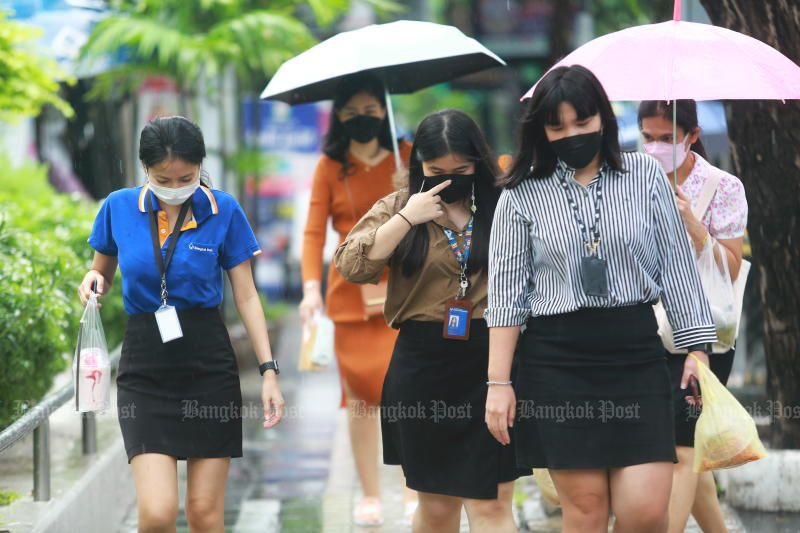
(363, 347)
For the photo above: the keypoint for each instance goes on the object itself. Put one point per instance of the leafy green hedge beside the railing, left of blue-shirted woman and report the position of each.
(43, 257)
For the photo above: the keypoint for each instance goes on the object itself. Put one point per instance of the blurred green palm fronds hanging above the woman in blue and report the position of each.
(185, 40)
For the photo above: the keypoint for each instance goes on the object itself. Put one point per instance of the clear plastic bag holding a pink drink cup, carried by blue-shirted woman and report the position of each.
(91, 366)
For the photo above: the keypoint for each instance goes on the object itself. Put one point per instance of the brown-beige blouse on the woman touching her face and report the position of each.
(423, 295)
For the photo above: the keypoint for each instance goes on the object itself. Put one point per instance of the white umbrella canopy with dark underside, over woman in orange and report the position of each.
(406, 55)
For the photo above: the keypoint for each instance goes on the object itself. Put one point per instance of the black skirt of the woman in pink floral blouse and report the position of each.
(686, 415)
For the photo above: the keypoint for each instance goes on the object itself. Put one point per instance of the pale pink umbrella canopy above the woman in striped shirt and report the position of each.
(682, 60)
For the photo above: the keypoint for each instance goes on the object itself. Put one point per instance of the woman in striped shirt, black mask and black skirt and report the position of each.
(584, 240)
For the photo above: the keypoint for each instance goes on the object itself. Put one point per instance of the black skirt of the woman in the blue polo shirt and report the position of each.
(181, 398)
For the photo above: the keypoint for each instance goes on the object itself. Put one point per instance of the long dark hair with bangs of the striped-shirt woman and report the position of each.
(578, 86)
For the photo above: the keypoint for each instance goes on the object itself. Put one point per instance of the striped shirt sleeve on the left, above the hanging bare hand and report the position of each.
(510, 266)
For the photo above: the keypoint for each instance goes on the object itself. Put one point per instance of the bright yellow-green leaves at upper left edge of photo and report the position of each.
(28, 80)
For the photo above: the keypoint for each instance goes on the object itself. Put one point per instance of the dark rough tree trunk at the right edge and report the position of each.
(765, 136)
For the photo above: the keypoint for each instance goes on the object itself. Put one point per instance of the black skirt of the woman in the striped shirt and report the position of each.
(593, 391)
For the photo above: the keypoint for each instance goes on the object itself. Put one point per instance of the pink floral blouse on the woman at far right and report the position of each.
(726, 217)
